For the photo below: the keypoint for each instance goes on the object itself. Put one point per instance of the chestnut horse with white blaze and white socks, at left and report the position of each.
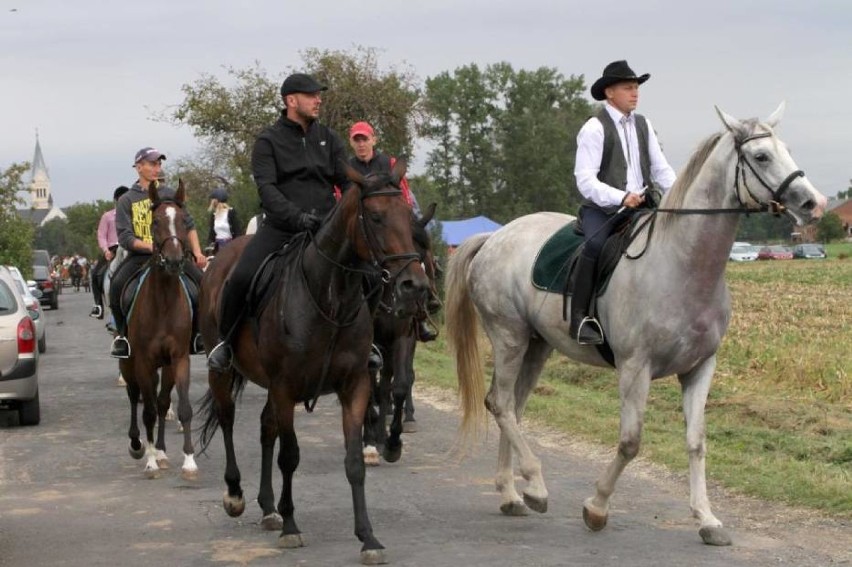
(160, 341)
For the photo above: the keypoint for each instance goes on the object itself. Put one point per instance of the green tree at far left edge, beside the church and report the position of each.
(16, 234)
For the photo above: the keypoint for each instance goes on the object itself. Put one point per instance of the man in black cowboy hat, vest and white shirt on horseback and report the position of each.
(618, 159)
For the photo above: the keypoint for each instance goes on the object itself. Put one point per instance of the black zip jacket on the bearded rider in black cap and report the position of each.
(296, 171)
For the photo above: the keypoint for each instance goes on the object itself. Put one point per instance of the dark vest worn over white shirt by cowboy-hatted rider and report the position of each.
(613, 169)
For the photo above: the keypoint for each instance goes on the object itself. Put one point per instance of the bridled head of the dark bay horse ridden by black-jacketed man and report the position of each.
(382, 236)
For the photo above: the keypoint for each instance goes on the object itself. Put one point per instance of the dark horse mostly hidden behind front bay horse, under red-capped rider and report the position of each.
(397, 338)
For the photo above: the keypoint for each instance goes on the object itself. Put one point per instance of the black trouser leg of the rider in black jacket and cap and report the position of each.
(266, 240)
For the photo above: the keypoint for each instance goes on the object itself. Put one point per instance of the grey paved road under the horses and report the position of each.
(71, 495)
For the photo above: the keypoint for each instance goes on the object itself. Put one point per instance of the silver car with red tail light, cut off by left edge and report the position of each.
(18, 353)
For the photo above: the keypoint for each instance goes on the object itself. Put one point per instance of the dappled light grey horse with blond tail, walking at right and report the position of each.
(664, 312)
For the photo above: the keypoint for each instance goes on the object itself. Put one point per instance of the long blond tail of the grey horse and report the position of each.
(462, 335)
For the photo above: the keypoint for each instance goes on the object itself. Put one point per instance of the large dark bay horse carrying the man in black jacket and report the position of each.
(313, 338)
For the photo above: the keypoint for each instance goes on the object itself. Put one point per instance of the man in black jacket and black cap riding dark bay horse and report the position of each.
(296, 163)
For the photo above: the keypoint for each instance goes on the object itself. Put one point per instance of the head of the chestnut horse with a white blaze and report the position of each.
(168, 227)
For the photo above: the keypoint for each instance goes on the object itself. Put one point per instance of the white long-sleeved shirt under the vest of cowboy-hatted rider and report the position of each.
(590, 152)
